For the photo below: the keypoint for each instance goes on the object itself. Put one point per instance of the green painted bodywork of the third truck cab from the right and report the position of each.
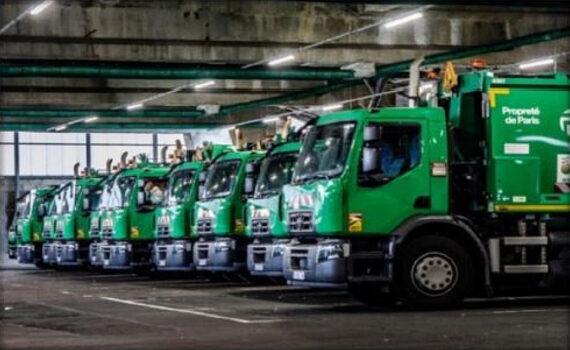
(227, 212)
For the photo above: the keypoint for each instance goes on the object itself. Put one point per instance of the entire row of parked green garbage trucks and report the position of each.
(465, 195)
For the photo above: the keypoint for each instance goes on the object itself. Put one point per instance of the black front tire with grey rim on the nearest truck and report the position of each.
(433, 272)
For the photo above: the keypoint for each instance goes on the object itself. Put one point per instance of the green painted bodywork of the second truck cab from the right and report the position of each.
(270, 205)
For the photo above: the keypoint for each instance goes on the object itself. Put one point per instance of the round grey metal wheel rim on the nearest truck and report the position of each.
(434, 274)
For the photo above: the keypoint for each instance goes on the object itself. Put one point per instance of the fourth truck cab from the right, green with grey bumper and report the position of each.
(172, 250)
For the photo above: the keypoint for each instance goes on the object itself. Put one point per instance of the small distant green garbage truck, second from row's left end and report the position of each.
(32, 209)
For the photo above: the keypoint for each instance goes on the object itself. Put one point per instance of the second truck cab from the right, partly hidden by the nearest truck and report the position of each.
(266, 223)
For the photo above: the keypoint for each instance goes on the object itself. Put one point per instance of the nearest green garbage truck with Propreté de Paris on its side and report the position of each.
(432, 204)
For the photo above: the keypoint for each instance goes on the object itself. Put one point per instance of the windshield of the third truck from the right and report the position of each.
(221, 178)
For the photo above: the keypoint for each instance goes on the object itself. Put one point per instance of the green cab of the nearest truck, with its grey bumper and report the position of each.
(344, 171)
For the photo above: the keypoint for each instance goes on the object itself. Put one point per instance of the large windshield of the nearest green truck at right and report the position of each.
(325, 151)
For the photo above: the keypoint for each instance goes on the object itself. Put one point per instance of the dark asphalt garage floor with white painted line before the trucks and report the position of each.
(46, 309)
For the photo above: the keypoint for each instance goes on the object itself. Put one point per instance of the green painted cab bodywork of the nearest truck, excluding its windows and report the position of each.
(333, 202)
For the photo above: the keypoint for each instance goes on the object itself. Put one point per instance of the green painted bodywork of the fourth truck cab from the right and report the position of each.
(179, 216)
